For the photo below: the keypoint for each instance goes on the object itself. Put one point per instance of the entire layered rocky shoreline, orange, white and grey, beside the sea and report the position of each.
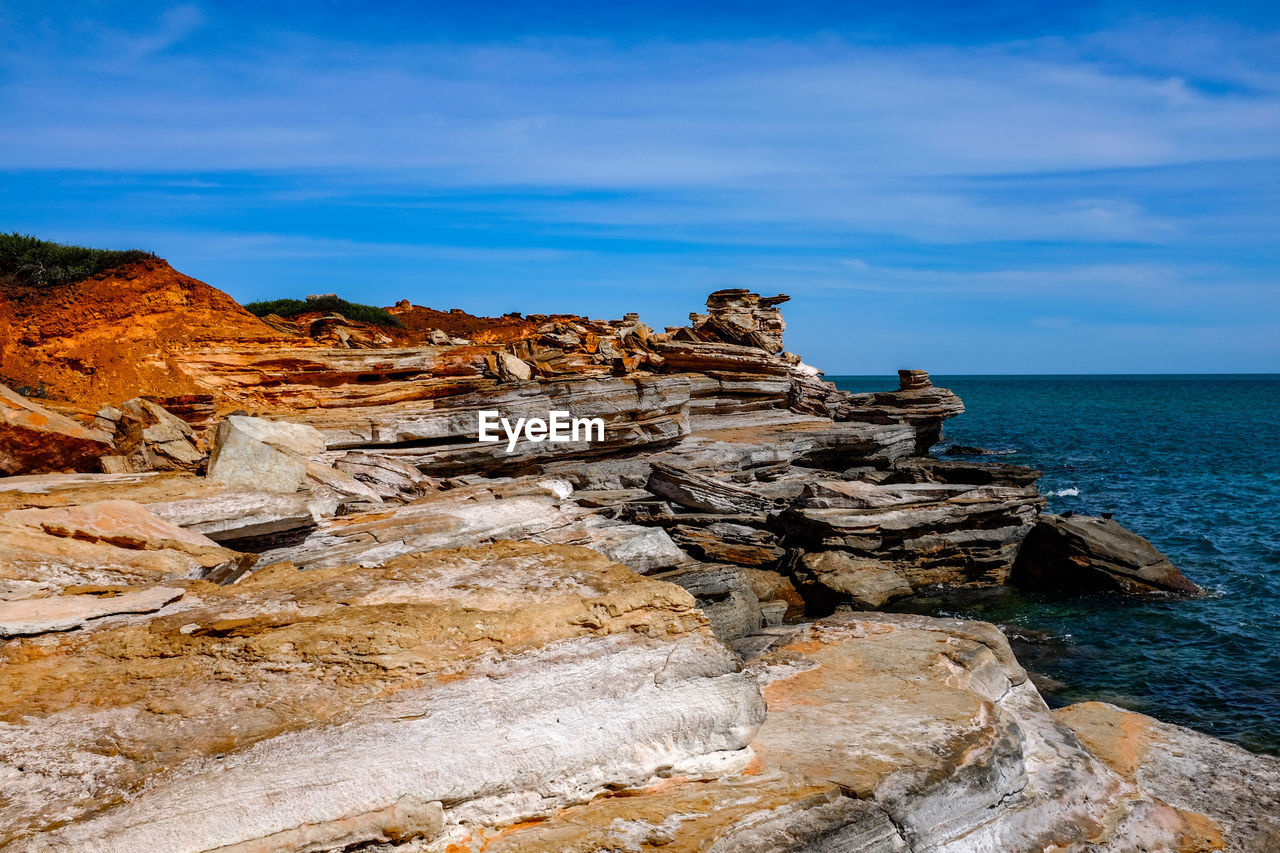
(263, 590)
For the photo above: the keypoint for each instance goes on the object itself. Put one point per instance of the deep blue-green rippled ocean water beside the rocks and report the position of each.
(1194, 464)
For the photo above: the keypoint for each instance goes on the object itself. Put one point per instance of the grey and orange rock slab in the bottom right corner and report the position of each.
(1237, 792)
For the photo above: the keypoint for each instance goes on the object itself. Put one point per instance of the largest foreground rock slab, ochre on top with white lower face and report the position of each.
(358, 696)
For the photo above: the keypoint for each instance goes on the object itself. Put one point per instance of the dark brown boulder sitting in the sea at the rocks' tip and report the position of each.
(1084, 554)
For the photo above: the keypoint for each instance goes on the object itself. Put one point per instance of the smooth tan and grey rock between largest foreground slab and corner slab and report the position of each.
(935, 723)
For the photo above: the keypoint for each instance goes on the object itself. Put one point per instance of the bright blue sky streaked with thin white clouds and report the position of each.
(968, 189)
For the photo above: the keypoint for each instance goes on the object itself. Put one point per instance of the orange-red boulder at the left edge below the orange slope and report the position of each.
(35, 440)
